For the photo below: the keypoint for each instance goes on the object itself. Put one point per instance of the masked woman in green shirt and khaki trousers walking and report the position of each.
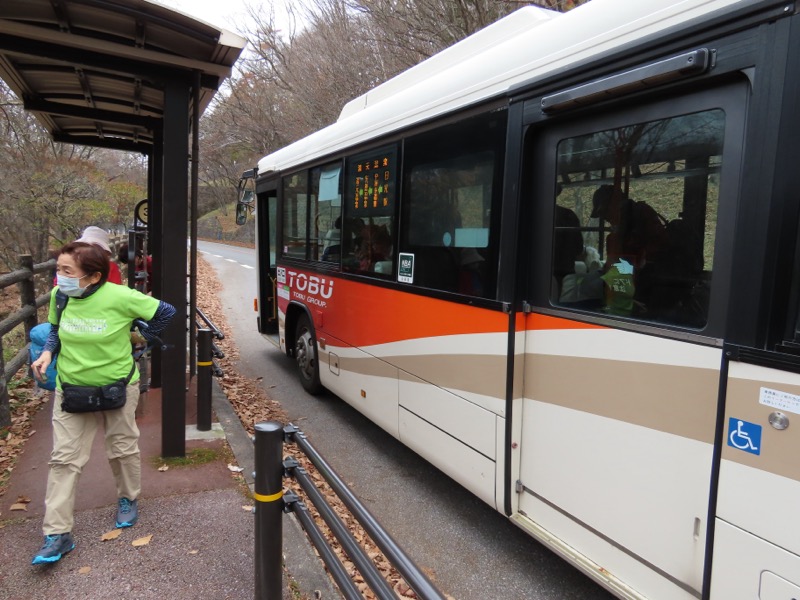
(91, 335)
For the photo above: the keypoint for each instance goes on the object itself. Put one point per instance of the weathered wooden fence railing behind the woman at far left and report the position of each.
(24, 277)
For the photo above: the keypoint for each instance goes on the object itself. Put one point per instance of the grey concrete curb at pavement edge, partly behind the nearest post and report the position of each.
(303, 564)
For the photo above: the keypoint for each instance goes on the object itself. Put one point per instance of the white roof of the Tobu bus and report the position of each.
(527, 44)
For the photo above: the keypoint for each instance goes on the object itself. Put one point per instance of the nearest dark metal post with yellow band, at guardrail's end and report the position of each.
(268, 494)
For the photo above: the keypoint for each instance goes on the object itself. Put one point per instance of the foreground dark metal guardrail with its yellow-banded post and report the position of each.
(271, 503)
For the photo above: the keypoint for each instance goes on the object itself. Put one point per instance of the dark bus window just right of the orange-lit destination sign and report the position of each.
(451, 185)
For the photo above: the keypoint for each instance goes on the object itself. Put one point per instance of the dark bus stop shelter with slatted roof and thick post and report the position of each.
(135, 76)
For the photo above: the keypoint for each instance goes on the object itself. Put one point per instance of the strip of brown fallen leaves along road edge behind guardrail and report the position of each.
(251, 402)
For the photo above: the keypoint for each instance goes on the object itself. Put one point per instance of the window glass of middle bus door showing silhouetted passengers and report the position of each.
(644, 200)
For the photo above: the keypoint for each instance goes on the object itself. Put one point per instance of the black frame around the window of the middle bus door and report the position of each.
(542, 139)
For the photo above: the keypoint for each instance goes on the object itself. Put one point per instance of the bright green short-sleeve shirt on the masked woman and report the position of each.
(95, 334)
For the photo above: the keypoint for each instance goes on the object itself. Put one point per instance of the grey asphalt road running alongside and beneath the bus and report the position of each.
(470, 551)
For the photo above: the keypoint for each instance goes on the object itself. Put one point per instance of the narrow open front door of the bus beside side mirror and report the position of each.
(266, 240)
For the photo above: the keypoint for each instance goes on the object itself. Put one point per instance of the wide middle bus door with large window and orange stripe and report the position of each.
(625, 307)
